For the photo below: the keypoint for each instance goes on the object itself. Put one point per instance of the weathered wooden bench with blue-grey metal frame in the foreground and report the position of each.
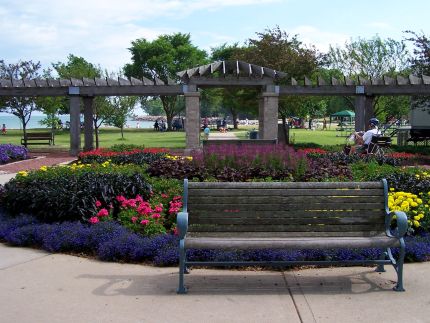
(290, 215)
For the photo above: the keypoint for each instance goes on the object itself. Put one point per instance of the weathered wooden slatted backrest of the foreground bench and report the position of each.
(287, 209)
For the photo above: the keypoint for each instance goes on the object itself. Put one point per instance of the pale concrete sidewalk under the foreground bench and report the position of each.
(42, 287)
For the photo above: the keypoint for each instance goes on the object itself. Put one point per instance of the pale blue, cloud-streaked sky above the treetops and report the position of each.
(101, 31)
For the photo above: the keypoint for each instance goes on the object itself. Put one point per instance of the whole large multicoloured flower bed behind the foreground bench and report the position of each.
(127, 200)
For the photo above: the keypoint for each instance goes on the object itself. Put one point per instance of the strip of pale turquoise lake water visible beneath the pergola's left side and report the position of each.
(13, 122)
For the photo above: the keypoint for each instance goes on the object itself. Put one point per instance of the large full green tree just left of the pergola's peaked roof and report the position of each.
(163, 58)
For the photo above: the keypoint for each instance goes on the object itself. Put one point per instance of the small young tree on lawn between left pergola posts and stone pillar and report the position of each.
(122, 108)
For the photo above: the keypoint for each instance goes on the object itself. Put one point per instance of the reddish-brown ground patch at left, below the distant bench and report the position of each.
(36, 161)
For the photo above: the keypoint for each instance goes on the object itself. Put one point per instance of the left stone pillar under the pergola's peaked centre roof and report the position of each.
(192, 124)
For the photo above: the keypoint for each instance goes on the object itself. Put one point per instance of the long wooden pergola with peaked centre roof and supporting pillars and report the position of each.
(218, 74)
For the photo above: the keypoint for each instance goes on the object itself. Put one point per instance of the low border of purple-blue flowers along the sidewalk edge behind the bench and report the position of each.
(110, 241)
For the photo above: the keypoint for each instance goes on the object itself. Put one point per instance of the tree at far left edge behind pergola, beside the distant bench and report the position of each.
(22, 107)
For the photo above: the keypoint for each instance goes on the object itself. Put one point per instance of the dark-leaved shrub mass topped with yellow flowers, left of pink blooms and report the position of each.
(69, 193)
